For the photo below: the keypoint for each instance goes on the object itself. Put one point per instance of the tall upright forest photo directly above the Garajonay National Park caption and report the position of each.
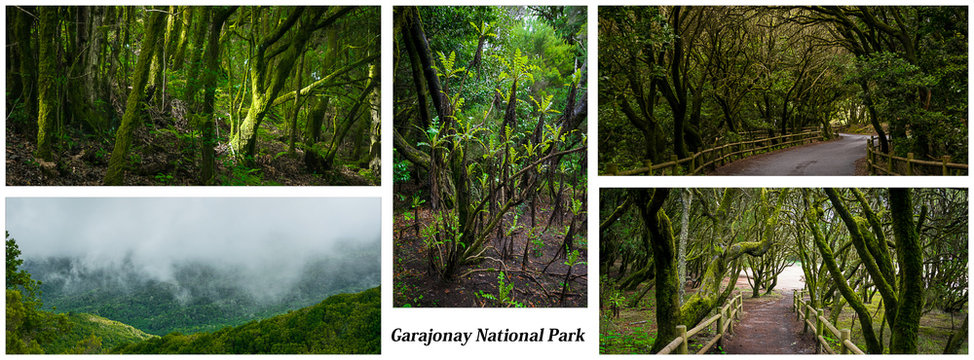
(490, 156)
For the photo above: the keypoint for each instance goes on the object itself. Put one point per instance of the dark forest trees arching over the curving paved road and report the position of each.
(676, 80)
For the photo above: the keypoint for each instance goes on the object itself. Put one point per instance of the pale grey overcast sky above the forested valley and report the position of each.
(155, 232)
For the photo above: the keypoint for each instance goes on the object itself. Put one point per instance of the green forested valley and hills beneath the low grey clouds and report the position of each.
(74, 307)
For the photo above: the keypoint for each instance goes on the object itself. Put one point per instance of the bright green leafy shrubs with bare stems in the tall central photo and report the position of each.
(497, 94)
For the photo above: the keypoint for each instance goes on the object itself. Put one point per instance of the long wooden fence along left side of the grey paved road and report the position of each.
(719, 155)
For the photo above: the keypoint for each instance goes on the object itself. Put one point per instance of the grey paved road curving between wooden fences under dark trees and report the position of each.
(837, 157)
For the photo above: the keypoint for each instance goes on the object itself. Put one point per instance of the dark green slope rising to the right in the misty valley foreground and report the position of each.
(342, 324)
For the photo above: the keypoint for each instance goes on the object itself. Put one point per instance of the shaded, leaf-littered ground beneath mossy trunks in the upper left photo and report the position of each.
(165, 151)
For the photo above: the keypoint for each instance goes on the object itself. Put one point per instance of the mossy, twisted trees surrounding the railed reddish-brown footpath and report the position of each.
(889, 264)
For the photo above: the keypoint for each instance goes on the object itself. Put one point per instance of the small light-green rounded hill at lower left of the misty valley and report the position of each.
(109, 333)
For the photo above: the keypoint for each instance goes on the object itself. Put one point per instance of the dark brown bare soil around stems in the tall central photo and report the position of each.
(416, 285)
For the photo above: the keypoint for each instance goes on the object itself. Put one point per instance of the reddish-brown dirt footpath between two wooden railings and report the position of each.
(769, 327)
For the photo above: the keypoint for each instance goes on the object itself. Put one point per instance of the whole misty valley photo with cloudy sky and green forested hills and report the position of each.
(196, 280)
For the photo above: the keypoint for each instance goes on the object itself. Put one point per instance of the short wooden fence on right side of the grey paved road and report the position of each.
(880, 163)
